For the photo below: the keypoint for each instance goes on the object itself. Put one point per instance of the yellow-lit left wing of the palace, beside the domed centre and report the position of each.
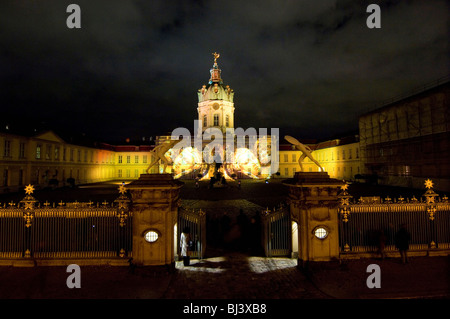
(47, 160)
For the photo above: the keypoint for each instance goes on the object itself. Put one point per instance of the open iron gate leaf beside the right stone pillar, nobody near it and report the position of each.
(277, 232)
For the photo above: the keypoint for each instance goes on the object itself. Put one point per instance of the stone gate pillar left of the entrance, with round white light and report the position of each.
(155, 200)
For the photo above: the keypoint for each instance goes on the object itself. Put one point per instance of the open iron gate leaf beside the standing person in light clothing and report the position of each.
(196, 221)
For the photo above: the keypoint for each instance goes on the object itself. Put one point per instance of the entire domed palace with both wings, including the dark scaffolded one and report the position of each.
(401, 143)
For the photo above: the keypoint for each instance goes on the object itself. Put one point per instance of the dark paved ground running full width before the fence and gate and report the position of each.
(235, 276)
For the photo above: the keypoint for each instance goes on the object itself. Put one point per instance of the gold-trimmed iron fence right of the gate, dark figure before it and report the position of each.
(369, 223)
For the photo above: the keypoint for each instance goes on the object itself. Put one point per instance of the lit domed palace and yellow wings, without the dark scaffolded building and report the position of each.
(47, 160)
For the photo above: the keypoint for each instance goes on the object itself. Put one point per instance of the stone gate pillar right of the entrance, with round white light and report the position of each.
(314, 205)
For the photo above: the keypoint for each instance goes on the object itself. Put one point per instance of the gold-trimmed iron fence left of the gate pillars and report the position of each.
(66, 230)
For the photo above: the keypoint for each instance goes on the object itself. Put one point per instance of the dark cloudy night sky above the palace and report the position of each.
(307, 67)
